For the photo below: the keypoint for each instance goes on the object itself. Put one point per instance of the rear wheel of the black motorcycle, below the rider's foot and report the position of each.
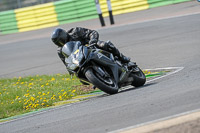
(139, 77)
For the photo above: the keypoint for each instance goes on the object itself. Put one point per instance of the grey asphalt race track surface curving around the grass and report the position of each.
(171, 42)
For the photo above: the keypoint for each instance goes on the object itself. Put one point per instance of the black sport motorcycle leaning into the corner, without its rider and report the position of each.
(101, 68)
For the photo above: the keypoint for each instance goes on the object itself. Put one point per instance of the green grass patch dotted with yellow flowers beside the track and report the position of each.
(22, 95)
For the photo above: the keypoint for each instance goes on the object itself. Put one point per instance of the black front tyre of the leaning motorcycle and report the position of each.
(105, 84)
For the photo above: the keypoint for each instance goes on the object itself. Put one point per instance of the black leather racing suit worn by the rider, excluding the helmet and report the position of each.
(87, 36)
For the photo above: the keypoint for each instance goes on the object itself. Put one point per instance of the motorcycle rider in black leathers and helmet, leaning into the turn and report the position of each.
(86, 36)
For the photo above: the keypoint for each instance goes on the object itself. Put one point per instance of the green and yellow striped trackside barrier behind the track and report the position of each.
(68, 11)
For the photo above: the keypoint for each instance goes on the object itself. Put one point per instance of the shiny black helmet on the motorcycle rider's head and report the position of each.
(59, 37)
